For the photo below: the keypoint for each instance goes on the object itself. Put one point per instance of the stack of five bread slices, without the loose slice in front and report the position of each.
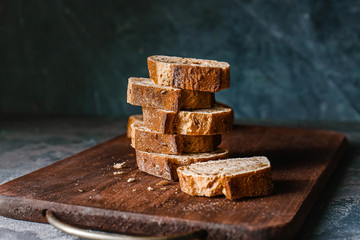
(181, 122)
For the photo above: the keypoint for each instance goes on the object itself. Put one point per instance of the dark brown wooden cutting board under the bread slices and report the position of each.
(84, 191)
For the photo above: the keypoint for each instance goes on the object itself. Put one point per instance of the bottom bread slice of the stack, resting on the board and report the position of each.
(165, 165)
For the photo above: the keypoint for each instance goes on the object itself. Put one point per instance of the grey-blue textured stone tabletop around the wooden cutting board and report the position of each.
(29, 144)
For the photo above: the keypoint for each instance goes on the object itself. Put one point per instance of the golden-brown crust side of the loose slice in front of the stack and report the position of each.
(257, 182)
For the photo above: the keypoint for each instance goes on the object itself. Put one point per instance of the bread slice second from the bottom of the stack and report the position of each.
(149, 141)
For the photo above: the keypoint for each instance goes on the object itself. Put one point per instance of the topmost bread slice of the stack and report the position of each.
(189, 73)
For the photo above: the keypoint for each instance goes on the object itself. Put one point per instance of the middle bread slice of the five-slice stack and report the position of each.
(211, 121)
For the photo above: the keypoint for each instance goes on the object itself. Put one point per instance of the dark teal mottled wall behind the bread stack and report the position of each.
(289, 59)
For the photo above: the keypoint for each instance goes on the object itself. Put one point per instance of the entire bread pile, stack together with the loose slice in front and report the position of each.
(178, 134)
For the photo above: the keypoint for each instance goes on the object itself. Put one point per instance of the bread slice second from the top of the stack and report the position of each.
(143, 92)
